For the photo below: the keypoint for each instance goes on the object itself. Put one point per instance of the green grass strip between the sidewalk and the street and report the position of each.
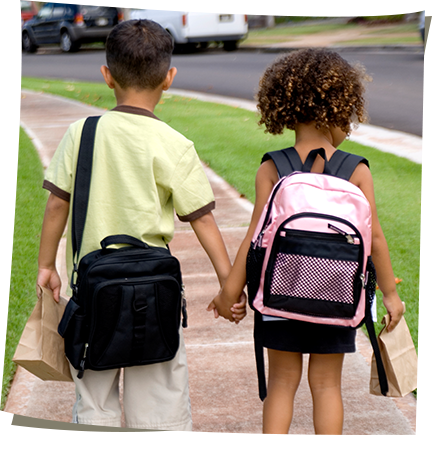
(231, 142)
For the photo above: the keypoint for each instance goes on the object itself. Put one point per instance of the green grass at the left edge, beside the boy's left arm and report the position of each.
(22, 203)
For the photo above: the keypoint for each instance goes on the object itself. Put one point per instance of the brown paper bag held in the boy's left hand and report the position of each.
(41, 350)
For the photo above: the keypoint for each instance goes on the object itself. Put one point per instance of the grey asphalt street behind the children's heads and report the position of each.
(397, 95)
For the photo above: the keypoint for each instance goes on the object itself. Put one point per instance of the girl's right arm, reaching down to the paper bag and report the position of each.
(379, 250)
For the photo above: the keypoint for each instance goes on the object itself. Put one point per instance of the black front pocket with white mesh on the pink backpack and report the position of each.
(318, 280)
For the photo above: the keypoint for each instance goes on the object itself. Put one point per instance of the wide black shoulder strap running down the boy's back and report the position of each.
(82, 186)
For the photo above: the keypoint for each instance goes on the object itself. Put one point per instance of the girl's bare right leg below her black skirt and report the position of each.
(324, 377)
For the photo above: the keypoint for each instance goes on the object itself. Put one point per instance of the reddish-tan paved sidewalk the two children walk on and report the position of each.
(224, 399)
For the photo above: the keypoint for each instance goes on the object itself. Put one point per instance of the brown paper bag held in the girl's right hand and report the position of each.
(400, 360)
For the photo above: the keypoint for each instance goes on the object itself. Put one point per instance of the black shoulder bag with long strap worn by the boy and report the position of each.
(126, 304)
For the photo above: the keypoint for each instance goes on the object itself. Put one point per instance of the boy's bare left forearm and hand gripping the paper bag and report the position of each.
(56, 215)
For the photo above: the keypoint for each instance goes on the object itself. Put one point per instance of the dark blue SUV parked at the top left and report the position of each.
(70, 23)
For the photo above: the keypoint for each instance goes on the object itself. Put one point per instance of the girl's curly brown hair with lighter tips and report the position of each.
(312, 85)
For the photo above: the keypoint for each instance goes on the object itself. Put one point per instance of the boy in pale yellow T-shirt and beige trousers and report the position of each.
(142, 170)
